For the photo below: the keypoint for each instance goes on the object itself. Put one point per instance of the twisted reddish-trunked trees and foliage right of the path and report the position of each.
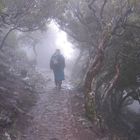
(110, 31)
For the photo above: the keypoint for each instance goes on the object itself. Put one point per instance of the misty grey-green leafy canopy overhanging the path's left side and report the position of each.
(27, 16)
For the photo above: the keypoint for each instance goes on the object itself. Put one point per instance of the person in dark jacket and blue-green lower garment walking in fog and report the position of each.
(57, 64)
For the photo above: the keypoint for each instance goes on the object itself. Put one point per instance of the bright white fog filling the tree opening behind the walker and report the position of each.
(48, 41)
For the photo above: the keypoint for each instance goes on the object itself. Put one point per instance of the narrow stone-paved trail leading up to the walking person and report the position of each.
(53, 118)
